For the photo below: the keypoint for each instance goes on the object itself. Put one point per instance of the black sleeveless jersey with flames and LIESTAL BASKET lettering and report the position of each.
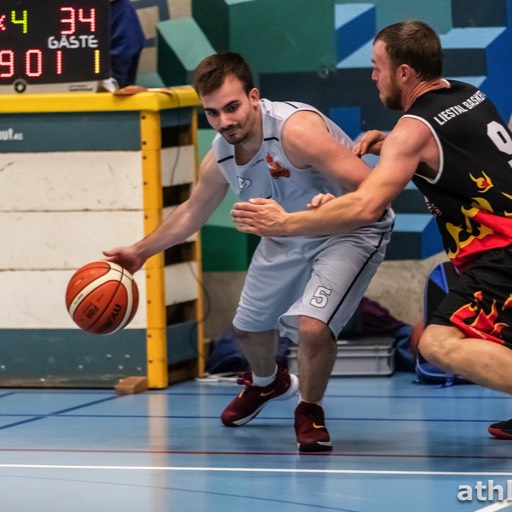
(471, 196)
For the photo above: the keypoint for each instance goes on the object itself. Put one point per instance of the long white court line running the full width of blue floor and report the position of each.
(252, 470)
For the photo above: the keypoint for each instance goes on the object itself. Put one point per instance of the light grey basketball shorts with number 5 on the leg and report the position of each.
(320, 277)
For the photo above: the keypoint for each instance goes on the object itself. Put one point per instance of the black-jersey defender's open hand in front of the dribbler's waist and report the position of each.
(263, 217)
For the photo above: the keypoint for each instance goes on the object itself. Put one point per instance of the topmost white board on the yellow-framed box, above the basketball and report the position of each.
(89, 180)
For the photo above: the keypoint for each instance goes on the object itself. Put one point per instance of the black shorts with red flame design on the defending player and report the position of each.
(479, 302)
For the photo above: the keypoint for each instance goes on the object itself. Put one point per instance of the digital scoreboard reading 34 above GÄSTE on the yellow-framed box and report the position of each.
(54, 45)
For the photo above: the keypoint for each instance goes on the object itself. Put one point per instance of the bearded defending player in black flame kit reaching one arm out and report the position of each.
(453, 144)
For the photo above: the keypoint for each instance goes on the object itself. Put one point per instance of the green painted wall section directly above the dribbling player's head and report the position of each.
(273, 35)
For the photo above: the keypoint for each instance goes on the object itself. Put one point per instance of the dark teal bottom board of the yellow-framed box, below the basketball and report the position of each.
(70, 357)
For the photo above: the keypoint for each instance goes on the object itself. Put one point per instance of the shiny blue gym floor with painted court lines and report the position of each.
(398, 445)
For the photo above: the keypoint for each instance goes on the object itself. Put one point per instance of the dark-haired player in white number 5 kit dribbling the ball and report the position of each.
(305, 288)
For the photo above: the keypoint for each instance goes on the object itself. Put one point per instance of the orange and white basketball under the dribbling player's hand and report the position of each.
(102, 297)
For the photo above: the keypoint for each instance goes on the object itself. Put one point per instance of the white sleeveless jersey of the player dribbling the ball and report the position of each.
(269, 174)
